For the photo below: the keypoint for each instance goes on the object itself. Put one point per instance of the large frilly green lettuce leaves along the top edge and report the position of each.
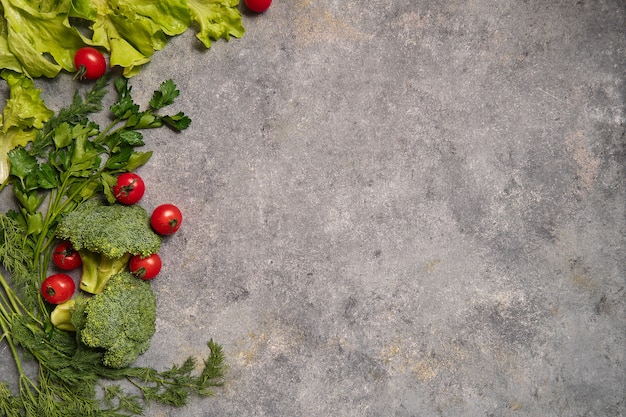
(39, 39)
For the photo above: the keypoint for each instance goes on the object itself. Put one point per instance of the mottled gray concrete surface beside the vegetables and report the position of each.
(399, 208)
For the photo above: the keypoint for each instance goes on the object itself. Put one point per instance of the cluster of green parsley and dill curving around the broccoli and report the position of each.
(69, 162)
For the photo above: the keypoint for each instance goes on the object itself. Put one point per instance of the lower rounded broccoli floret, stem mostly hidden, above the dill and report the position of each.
(120, 320)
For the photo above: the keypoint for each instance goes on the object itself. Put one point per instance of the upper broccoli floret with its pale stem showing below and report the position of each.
(106, 236)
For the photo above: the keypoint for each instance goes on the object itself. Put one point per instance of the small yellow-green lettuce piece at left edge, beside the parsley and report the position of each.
(24, 112)
